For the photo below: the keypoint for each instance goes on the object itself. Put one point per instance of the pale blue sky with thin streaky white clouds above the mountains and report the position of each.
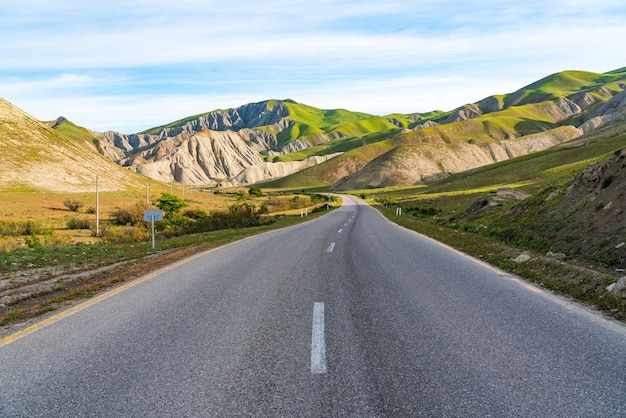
(129, 65)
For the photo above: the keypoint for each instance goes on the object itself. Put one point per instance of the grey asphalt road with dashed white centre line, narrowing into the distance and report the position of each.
(347, 315)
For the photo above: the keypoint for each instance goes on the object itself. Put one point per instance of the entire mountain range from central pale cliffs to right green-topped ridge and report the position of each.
(241, 145)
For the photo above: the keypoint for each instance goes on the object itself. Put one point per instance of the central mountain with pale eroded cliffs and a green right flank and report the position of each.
(219, 146)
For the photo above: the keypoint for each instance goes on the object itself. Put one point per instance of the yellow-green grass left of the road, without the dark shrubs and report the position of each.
(36, 279)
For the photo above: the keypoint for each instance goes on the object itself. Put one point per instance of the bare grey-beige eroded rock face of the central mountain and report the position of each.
(220, 147)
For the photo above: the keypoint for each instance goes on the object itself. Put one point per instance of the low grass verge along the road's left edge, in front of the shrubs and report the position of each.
(105, 266)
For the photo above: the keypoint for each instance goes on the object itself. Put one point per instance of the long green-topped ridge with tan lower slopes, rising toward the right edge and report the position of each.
(554, 110)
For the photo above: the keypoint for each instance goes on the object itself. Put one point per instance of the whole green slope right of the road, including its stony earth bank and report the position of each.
(524, 216)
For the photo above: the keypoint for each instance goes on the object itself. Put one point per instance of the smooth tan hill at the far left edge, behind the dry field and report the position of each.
(57, 156)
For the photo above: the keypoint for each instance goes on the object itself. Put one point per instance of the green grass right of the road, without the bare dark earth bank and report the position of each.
(436, 210)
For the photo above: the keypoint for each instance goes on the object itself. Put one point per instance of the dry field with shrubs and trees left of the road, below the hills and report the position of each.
(45, 264)
